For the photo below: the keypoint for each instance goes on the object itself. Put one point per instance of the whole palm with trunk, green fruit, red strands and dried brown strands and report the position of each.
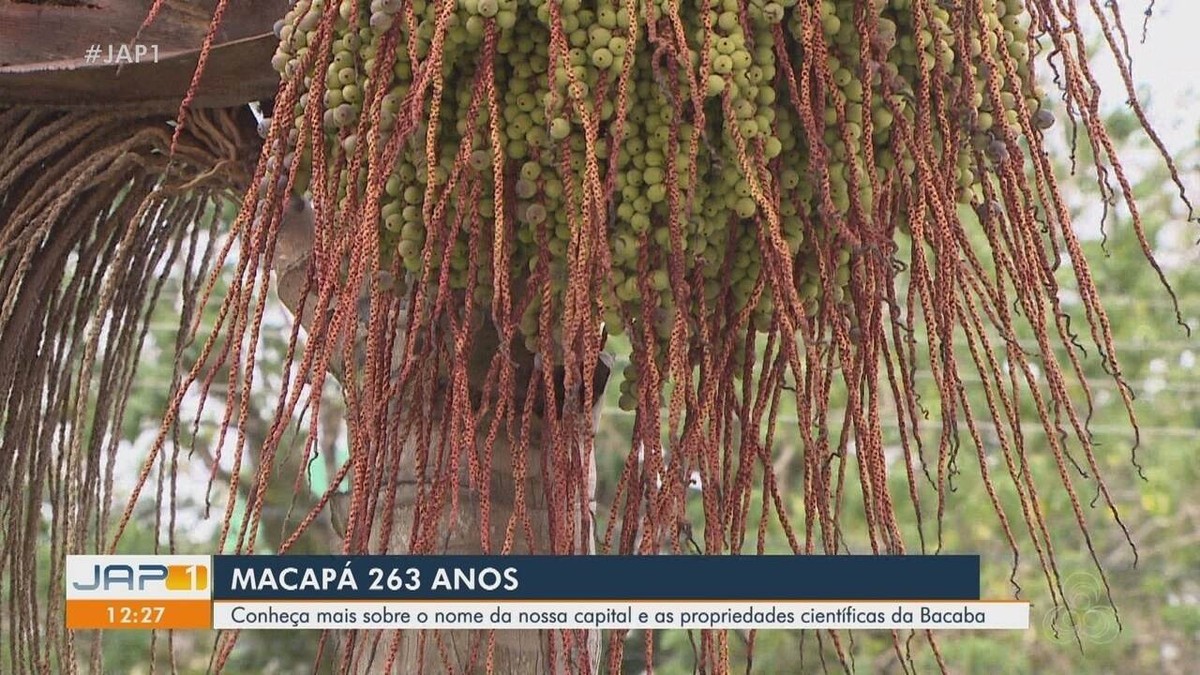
(794, 176)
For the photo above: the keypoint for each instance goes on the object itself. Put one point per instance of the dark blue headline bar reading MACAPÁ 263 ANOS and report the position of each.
(598, 578)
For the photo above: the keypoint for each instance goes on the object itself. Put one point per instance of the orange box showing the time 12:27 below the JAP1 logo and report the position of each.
(139, 614)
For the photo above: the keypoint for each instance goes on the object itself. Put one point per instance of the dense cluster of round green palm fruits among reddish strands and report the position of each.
(700, 138)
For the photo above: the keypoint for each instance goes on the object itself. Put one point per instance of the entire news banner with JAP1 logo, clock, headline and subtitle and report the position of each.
(521, 593)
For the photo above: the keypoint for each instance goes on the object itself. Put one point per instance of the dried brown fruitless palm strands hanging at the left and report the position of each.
(95, 216)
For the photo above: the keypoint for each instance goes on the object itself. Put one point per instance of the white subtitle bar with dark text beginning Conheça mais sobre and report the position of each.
(617, 614)
